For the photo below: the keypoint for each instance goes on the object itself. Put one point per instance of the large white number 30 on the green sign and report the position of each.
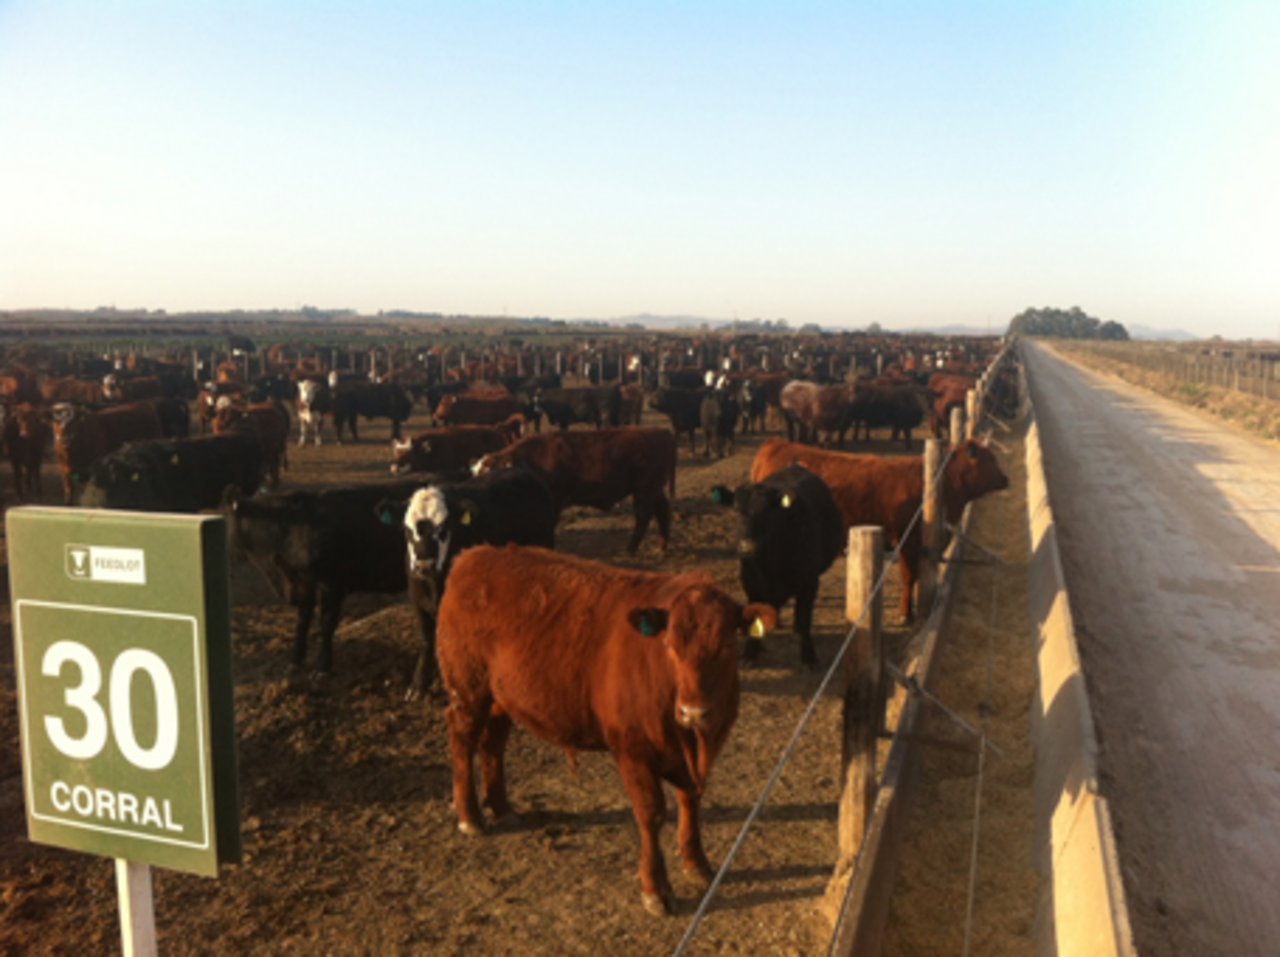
(84, 699)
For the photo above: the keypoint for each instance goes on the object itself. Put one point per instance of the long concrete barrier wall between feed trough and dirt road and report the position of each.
(1082, 909)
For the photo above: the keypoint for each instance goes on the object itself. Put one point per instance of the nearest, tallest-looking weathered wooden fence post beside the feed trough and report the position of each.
(865, 694)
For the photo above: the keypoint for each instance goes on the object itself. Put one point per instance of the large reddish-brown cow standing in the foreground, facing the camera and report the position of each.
(593, 658)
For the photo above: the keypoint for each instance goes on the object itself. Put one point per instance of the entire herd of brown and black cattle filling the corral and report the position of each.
(643, 665)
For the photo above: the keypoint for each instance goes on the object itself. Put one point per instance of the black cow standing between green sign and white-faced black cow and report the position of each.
(323, 544)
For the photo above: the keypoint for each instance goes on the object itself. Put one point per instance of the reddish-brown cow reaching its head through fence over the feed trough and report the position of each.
(889, 492)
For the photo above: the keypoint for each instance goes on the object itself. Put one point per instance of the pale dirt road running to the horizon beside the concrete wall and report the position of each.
(1171, 533)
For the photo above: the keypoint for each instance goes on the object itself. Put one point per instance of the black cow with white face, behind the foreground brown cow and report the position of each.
(442, 520)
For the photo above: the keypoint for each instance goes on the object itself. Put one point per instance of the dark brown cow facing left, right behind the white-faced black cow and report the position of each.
(601, 469)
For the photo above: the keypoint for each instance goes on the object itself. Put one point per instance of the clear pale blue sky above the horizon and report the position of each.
(836, 163)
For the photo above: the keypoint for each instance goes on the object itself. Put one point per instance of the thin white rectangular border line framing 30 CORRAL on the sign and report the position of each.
(200, 722)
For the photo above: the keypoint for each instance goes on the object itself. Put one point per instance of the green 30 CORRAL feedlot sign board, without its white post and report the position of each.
(122, 644)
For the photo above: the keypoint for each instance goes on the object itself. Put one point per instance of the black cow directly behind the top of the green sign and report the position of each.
(176, 475)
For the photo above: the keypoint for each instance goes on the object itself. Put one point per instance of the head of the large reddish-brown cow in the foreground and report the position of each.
(698, 626)
